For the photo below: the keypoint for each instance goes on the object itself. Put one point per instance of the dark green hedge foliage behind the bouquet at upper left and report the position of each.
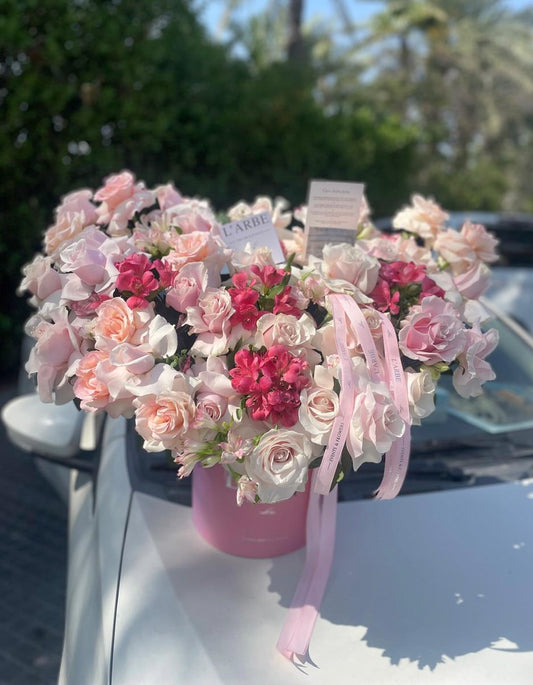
(91, 87)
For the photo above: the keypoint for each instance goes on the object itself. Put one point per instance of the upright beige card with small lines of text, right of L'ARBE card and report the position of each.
(333, 209)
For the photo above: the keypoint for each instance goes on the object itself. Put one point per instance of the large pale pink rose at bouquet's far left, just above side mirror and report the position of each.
(56, 350)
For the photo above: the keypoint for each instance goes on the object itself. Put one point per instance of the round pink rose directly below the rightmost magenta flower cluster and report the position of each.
(432, 332)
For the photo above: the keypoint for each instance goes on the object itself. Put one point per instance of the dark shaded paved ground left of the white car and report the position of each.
(33, 528)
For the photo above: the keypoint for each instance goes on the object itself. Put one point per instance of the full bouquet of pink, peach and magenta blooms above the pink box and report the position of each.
(229, 359)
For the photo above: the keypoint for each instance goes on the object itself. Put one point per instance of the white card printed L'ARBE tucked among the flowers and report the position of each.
(257, 231)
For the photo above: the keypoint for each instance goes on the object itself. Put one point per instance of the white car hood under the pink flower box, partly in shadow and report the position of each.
(430, 588)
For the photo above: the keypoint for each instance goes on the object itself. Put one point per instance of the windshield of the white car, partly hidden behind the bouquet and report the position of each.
(465, 442)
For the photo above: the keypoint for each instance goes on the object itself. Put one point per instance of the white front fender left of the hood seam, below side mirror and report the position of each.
(96, 534)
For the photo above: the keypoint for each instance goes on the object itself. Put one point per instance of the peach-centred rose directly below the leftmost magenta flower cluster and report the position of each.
(117, 323)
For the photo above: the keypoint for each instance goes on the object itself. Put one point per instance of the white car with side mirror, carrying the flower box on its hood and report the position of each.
(432, 587)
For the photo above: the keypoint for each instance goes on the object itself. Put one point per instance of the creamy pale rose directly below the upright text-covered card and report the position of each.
(350, 263)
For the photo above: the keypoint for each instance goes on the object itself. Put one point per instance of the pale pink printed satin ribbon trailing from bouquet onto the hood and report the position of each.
(322, 513)
